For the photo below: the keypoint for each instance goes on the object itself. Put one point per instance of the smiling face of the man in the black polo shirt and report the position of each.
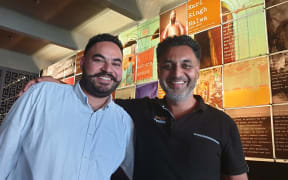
(178, 71)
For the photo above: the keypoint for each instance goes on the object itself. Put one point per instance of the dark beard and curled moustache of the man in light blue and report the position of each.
(97, 91)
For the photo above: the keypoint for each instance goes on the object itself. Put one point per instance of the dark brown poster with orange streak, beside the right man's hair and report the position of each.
(210, 43)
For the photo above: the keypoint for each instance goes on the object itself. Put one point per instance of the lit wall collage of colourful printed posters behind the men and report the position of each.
(244, 65)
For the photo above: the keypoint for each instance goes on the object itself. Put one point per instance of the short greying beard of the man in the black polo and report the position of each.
(181, 95)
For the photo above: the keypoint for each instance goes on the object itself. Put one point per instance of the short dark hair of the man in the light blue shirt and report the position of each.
(100, 38)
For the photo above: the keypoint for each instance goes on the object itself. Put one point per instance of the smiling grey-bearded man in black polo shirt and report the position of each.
(180, 137)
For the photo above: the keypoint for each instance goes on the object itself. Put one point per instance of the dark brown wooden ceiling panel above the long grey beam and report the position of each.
(64, 13)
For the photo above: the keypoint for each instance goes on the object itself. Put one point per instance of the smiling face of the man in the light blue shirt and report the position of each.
(102, 69)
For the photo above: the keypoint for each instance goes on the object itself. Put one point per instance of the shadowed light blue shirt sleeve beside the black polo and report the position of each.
(128, 162)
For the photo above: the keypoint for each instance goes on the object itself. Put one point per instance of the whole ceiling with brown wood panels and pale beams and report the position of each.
(28, 26)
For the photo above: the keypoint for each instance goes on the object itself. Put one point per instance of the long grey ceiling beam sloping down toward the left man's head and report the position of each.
(17, 22)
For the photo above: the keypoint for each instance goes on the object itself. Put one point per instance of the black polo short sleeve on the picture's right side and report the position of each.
(233, 160)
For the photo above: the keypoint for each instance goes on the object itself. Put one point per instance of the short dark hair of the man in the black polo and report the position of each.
(178, 41)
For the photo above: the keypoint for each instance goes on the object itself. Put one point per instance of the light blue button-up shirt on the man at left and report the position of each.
(52, 133)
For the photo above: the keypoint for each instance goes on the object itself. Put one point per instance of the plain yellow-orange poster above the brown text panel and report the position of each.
(246, 83)
